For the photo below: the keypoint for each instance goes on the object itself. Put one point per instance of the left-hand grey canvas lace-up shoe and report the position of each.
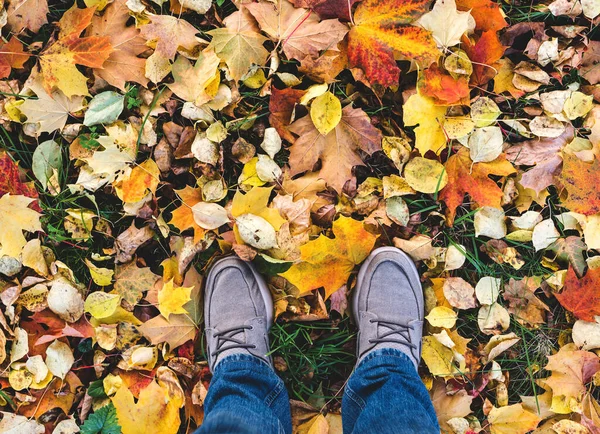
(238, 311)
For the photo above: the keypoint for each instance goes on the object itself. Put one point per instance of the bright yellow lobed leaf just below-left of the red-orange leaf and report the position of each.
(422, 111)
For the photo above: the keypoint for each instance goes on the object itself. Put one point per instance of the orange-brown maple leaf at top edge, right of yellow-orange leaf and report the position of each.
(123, 64)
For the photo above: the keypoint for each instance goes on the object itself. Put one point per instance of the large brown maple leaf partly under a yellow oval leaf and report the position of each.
(338, 150)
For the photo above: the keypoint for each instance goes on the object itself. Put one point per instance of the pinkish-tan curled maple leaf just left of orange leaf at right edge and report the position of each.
(544, 154)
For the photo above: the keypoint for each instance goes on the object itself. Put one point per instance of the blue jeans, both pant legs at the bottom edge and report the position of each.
(383, 395)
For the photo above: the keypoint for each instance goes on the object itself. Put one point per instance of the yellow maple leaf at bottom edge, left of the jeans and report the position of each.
(154, 412)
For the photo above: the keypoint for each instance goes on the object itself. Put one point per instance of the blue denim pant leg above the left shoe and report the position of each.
(246, 396)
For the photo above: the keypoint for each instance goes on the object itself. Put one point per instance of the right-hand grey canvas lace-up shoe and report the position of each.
(388, 304)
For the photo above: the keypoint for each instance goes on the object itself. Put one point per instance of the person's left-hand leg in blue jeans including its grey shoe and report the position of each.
(245, 394)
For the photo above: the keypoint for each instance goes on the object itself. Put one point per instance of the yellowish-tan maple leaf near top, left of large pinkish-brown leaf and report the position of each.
(239, 44)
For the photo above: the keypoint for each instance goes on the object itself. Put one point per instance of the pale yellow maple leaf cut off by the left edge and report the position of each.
(16, 217)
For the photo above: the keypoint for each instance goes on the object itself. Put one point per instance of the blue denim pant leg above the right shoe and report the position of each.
(385, 395)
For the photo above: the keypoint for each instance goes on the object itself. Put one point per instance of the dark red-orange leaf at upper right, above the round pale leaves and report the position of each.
(484, 54)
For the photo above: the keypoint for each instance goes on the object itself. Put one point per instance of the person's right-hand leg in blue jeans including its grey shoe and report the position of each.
(385, 394)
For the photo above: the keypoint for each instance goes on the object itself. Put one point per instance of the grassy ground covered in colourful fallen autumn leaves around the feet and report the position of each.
(142, 139)
